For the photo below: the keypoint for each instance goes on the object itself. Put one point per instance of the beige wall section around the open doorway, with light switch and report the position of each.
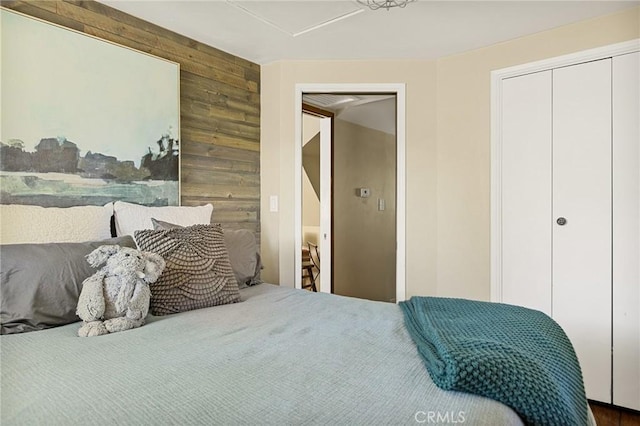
(277, 147)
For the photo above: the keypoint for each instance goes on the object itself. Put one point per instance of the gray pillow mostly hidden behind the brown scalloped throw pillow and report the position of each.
(243, 252)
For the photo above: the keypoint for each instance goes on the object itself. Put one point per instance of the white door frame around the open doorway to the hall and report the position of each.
(399, 89)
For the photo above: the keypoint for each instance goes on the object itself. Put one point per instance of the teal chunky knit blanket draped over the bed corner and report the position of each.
(511, 354)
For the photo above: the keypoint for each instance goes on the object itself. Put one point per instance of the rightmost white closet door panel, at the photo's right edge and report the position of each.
(626, 230)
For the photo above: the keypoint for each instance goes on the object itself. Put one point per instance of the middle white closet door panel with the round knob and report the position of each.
(582, 196)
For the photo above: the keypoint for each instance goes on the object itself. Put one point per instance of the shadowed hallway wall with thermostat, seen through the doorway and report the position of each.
(364, 237)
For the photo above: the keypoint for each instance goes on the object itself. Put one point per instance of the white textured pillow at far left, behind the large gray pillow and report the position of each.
(20, 224)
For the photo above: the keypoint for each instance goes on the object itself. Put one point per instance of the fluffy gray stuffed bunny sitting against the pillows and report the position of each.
(116, 297)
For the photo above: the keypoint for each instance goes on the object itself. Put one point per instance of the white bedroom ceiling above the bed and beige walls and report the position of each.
(265, 31)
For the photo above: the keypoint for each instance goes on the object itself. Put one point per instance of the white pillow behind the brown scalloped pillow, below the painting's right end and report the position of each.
(133, 217)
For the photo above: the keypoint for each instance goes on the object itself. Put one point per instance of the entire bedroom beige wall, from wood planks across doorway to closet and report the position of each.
(448, 150)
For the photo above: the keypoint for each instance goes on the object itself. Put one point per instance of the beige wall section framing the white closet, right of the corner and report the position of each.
(464, 142)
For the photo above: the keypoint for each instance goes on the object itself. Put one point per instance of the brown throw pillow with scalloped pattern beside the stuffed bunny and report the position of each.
(198, 273)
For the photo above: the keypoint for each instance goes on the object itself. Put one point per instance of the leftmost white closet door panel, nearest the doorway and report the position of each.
(526, 191)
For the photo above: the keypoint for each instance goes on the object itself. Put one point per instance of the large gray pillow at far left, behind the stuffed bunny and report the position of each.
(41, 283)
